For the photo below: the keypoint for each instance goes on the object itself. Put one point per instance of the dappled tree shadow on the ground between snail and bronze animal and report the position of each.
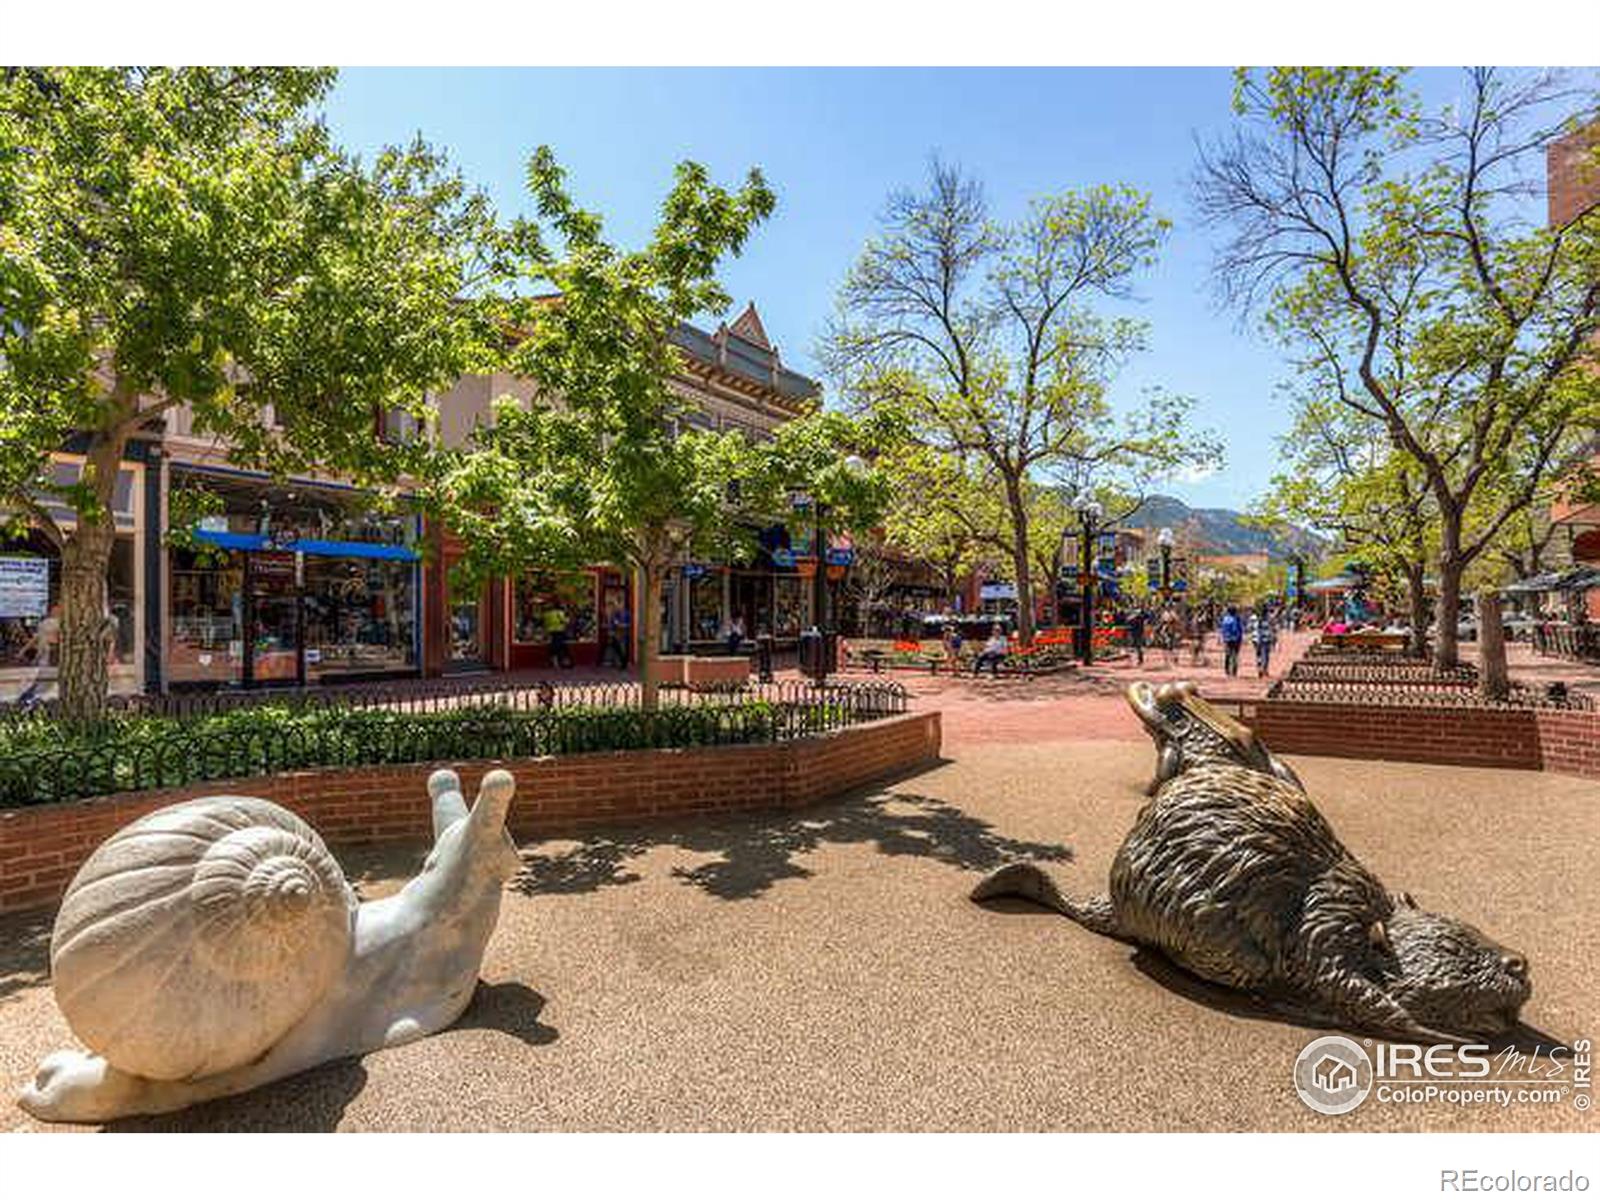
(758, 850)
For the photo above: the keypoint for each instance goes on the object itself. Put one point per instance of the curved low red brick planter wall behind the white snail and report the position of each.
(42, 849)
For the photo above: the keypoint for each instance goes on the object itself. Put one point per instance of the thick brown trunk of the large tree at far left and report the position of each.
(87, 630)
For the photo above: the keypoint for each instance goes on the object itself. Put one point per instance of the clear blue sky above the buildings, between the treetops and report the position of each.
(834, 143)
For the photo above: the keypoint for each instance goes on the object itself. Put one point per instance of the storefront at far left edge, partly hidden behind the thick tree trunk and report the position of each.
(31, 591)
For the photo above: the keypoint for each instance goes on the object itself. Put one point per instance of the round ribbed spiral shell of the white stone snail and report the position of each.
(193, 940)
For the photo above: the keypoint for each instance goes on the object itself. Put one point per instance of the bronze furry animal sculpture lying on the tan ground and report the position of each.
(1234, 874)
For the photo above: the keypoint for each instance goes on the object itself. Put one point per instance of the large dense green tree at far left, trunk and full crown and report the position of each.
(194, 239)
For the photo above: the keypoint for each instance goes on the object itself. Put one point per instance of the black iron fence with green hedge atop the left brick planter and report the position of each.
(143, 751)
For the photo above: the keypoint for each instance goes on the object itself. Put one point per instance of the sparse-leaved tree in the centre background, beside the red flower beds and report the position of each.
(980, 335)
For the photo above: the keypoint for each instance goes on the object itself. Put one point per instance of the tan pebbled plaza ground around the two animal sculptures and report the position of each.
(825, 970)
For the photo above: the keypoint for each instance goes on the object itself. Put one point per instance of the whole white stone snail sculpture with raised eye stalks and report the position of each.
(215, 946)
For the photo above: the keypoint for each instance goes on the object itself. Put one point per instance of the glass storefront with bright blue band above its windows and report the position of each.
(292, 585)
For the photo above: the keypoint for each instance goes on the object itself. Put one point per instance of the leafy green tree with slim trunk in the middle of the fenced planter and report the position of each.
(598, 466)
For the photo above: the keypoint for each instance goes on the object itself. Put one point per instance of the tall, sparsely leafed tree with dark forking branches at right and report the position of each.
(1399, 257)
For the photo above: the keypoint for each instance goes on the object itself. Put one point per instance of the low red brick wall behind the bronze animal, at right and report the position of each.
(1532, 740)
